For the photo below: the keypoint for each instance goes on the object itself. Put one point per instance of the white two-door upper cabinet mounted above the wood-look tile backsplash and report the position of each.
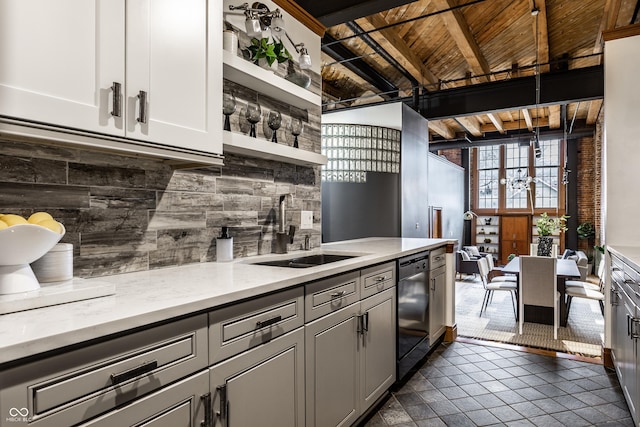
(148, 70)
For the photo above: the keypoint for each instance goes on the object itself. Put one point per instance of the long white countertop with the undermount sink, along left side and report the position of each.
(143, 298)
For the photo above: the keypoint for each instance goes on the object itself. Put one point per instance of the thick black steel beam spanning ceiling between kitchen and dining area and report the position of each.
(581, 84)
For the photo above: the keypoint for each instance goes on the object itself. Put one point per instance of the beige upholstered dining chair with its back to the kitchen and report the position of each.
(538, 287)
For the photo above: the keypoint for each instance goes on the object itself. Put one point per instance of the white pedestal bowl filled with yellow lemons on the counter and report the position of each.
(25, 240)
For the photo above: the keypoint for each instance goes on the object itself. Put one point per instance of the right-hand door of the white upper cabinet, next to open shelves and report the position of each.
(174, 73)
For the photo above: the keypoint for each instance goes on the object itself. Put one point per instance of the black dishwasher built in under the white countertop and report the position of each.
(412, 312)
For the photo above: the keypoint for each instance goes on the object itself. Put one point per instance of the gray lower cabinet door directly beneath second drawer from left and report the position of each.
(263, 386)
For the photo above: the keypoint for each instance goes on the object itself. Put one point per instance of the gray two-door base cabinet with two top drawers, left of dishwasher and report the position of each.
(350, 352)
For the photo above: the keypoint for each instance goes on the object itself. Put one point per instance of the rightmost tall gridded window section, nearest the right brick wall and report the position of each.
(547, 166)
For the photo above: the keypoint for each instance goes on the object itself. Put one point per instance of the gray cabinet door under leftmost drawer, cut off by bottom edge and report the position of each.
(178, 405)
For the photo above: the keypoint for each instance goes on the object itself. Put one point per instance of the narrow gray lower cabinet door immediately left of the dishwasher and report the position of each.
(378, 351)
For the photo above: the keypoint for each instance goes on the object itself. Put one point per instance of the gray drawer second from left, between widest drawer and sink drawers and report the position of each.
(245, 325)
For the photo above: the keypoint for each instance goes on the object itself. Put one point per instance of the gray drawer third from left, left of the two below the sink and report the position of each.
(328, 295)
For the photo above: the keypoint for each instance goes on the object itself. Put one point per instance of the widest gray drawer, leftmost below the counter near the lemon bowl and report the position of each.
(80, 384)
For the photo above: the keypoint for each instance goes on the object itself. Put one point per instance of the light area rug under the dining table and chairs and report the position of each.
(583, 334)
